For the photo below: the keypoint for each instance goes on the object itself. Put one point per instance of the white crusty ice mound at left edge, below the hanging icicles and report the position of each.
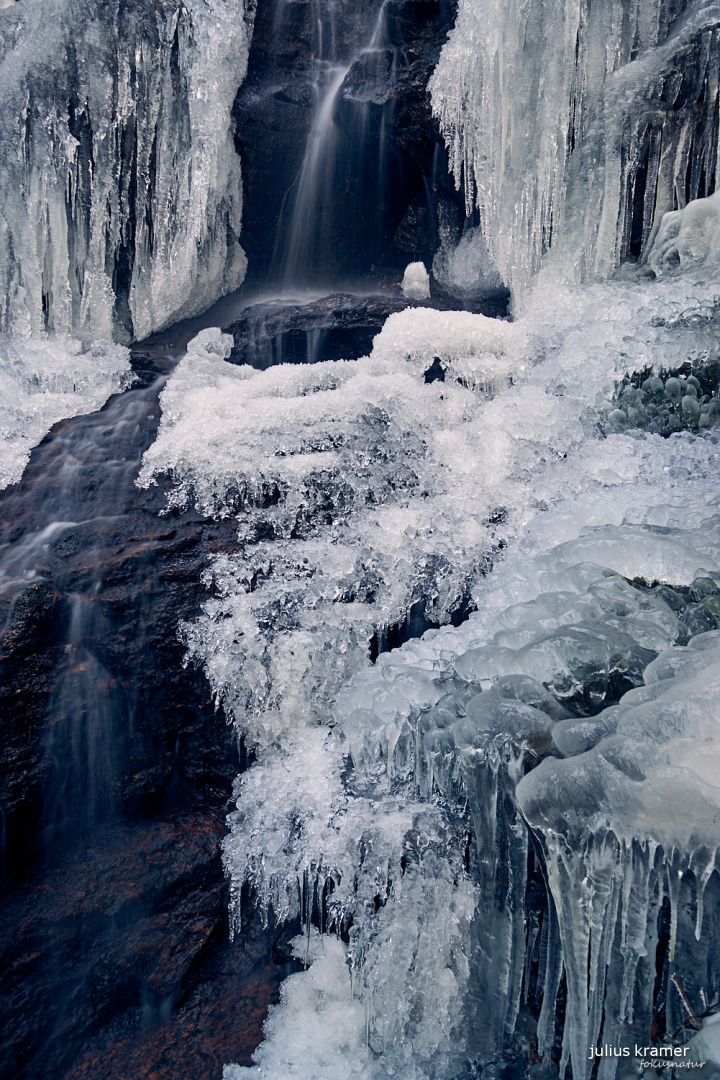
(44, 381)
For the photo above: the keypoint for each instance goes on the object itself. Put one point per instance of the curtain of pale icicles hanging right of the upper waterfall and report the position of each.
(579, 126)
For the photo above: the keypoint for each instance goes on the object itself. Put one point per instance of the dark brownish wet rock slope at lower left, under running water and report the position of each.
(116, 774)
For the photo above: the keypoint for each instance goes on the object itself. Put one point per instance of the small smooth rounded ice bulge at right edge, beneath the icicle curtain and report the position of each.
(688, 238)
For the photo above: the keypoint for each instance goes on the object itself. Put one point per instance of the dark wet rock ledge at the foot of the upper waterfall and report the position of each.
(329, 329)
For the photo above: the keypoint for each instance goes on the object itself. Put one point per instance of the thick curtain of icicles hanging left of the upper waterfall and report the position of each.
(120, 191)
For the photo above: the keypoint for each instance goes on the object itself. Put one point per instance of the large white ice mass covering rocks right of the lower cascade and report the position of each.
(388, 802)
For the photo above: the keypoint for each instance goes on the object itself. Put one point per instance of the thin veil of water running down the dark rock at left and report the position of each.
(81, 505)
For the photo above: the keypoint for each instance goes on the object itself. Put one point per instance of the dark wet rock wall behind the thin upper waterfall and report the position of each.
(391, 172)
